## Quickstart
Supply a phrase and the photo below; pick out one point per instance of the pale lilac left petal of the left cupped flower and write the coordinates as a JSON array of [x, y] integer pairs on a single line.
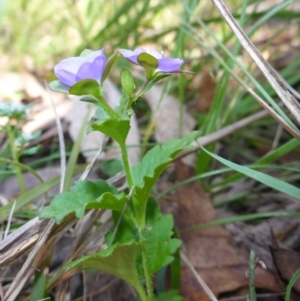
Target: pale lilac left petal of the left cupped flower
[[67, 69]]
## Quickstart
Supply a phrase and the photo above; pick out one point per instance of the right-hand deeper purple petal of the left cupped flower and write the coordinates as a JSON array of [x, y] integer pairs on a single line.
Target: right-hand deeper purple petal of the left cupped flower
[[92, 70]]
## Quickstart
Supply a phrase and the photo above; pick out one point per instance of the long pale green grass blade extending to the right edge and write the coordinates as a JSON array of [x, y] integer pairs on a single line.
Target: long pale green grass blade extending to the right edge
[[260, 177]]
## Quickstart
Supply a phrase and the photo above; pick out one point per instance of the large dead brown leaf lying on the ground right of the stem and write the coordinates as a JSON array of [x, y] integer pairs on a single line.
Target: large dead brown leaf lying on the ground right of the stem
[[211, 251]]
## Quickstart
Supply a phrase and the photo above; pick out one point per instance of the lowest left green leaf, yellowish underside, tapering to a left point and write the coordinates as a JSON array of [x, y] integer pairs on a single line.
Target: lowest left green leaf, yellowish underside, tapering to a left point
[[118, 260]]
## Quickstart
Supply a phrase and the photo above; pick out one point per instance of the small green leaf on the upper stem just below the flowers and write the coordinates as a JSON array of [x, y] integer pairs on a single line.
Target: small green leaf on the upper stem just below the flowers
[[115, 128]]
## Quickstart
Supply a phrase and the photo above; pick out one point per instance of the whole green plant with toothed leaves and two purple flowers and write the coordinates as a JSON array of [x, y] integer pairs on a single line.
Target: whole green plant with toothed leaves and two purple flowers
[[143, 242]]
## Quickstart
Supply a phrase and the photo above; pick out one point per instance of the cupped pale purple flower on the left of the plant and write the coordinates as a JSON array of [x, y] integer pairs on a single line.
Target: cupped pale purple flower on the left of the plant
[[74, 69]]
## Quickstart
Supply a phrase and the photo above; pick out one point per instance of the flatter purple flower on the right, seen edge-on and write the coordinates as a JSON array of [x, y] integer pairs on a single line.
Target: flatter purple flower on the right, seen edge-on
[[165, 65]]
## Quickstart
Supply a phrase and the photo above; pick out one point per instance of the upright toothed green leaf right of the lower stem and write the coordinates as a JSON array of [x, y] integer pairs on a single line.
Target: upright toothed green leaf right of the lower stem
[[160, 245]]
